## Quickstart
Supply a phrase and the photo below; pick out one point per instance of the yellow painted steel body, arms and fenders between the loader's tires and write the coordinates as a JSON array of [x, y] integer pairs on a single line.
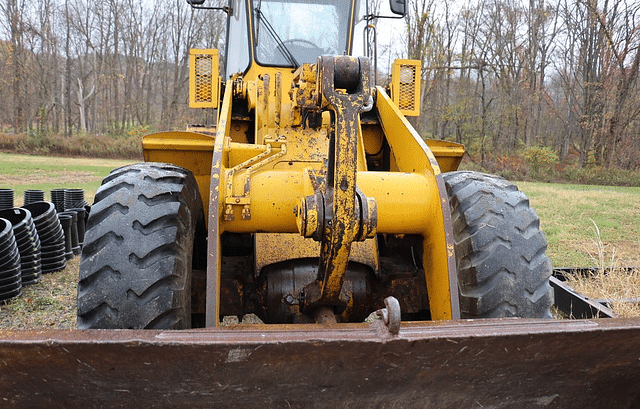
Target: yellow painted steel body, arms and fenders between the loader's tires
[[258, 187]]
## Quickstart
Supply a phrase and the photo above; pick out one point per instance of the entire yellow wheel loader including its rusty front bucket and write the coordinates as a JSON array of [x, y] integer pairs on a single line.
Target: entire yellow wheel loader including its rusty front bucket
[[375, 273]]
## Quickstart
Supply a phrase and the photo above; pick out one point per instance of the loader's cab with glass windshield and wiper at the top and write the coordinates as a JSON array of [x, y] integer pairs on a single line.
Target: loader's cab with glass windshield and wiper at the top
[[289, 33]]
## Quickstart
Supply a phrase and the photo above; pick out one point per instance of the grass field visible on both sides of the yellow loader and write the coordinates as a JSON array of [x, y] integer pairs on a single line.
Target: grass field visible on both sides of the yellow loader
[[585, 226]]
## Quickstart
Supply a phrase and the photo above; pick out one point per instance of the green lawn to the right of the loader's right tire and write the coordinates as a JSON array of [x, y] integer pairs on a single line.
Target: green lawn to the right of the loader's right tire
[[588, 225]]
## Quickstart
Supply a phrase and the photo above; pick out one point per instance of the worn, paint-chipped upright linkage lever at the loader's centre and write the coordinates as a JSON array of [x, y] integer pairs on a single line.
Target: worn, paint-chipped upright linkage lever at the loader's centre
[[341, 226]]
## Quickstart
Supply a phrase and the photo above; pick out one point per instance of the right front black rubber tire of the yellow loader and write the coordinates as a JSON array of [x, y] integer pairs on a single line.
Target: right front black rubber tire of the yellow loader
[[503, 270]]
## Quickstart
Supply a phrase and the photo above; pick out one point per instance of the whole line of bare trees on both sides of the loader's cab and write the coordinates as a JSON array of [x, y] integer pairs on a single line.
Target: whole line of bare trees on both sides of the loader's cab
[[498, 75]]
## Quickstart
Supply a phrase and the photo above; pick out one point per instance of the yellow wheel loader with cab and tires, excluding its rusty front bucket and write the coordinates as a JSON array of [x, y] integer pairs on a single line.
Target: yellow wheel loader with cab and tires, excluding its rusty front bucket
[[312, 199]]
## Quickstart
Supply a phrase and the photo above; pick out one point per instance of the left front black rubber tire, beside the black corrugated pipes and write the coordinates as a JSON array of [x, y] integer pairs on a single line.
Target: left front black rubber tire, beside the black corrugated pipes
[[135, 270]]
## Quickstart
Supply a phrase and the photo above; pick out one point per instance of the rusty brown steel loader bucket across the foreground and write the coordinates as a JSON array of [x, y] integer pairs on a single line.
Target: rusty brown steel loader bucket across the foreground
[[506, 363]]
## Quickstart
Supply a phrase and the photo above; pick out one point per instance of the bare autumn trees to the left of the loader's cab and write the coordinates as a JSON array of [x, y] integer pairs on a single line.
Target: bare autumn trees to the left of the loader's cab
[[98, 67]]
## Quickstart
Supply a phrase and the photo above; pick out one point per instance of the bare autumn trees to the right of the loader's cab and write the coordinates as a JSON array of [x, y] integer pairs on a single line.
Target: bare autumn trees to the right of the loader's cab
[[500, 75]]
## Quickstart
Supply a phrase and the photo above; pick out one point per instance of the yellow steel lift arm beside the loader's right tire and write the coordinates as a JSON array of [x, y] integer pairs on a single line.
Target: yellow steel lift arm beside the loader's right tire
[[413, 155]]
